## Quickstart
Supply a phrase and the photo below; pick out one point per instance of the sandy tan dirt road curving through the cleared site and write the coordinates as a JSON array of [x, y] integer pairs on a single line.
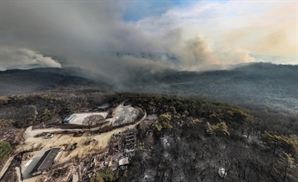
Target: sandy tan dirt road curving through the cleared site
[[59, 140]]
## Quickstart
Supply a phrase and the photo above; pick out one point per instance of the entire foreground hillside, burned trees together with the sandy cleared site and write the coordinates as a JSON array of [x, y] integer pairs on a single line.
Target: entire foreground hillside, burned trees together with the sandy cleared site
[[171, 139]]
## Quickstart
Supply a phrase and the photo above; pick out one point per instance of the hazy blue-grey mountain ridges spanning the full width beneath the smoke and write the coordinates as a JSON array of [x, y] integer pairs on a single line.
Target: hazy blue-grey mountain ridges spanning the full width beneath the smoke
[[258, 85]]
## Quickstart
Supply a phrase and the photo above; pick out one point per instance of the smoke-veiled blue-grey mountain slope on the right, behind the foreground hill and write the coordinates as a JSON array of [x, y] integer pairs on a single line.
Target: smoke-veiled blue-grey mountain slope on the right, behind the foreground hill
[[259, 86]]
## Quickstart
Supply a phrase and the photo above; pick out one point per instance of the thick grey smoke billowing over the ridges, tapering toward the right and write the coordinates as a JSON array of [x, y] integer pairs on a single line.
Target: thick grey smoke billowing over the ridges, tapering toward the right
[[89, 35]]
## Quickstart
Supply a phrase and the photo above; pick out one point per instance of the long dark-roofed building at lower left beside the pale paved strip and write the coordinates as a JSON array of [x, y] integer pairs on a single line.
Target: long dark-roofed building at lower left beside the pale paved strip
[[45, 162]]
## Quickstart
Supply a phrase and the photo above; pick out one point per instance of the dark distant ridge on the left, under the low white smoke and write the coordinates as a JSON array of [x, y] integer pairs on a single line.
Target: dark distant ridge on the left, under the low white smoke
[[37, 79]]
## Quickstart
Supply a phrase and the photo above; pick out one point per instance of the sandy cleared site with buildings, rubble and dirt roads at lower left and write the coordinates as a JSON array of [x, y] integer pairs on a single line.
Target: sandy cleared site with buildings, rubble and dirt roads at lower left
[[61, 154]]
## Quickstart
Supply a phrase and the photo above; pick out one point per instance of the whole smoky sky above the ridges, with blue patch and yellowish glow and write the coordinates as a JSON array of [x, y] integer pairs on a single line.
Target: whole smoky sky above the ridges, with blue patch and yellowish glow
[[198, 34]]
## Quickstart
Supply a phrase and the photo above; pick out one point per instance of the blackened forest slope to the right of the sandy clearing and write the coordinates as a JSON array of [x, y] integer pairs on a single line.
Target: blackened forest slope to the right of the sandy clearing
[[218, 138]]
